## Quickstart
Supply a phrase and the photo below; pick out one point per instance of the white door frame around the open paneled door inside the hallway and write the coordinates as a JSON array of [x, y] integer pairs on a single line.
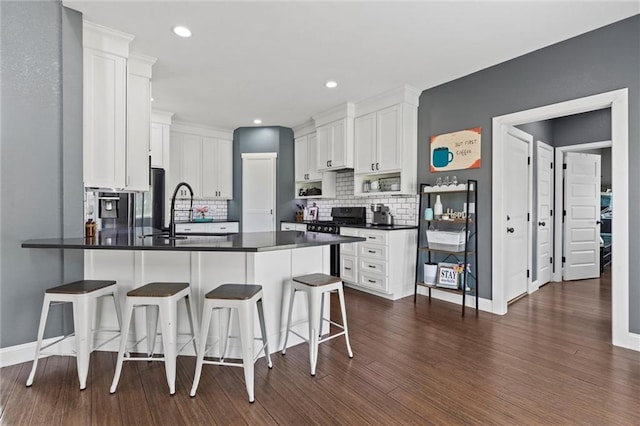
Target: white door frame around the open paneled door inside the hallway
[[559, 201]]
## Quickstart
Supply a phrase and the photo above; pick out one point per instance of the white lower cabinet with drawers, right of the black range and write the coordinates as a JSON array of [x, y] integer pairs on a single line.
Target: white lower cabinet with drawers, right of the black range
[[384, 264]]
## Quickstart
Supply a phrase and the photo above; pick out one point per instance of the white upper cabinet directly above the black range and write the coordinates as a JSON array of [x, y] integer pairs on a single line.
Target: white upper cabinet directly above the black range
[[334, 131]]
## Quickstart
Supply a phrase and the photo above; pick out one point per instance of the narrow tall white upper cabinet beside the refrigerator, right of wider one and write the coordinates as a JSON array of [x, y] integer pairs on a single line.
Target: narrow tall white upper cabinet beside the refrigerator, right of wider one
[[138, 122]]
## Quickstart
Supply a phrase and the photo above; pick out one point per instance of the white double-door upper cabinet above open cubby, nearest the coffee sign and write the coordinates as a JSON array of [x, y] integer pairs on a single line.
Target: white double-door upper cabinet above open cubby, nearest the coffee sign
[[378, 141]]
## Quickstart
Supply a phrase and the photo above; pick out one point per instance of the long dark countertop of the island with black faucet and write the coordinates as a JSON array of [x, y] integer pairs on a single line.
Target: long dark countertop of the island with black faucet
[[131, 239]]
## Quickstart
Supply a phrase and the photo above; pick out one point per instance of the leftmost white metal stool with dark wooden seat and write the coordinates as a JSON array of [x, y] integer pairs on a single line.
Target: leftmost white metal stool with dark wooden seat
[[83, 295]]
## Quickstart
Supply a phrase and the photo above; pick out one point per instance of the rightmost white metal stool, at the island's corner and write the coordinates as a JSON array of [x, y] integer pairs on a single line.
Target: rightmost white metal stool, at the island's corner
[[316, 286]]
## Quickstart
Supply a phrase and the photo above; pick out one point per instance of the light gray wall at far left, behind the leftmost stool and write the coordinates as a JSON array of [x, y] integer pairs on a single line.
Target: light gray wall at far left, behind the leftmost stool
[[41, 160]]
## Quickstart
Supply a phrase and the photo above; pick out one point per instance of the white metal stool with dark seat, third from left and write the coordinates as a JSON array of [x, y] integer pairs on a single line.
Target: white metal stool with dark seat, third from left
[[242, 298]]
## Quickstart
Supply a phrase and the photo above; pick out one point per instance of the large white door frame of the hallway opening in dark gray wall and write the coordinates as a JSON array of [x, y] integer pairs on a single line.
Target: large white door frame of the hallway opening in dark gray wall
[[618, 101]]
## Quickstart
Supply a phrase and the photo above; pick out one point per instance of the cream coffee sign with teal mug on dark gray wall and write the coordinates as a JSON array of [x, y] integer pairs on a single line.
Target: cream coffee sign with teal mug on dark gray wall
[[456, 151]]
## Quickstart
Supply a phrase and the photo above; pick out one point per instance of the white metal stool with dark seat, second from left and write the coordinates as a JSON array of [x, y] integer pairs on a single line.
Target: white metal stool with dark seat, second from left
[[160, 300]]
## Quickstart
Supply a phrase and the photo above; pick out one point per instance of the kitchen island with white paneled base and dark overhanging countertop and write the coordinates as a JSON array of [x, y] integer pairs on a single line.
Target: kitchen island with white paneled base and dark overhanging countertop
[[271, 259]]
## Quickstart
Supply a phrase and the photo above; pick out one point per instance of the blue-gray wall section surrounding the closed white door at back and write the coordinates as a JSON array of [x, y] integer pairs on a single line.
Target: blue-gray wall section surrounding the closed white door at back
[[265, 139]]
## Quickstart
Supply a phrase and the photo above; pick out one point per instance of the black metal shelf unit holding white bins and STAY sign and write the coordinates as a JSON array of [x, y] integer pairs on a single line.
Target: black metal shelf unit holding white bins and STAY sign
[[452, 197]]
